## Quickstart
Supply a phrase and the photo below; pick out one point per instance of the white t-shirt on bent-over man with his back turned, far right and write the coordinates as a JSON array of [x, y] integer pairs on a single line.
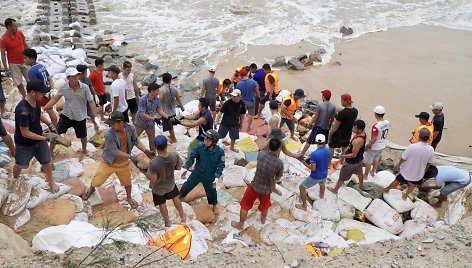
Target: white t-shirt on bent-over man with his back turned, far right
[[416, 157]]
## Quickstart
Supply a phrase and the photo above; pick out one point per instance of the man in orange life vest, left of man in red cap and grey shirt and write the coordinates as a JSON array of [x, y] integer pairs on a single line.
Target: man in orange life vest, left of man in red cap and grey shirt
[[290, 105]]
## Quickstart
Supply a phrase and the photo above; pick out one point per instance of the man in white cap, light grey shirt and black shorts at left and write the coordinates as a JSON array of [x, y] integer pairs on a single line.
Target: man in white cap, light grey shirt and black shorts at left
[[76, 95]]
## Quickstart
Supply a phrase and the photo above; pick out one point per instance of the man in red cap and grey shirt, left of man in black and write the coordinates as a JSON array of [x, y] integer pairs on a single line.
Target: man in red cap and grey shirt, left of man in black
[[322, 119]]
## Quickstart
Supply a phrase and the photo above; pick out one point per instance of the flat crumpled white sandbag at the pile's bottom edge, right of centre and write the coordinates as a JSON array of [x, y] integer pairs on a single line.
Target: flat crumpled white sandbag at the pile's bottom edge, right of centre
[[372, 234]]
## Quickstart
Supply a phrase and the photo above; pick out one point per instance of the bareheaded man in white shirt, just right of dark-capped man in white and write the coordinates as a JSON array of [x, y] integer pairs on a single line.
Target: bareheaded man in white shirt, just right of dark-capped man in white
[[132, 89]]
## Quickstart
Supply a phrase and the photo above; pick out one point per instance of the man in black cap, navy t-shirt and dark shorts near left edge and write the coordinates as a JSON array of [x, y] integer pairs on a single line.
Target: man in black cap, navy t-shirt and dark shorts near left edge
[[29, 139]]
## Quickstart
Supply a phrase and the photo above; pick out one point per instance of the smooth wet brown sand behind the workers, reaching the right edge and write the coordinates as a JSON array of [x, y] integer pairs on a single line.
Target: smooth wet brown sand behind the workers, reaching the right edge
[[404, 69]]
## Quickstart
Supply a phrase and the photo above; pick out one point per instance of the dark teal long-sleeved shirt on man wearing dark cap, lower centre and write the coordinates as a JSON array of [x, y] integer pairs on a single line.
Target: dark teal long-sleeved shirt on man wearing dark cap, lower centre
[[209, 164]]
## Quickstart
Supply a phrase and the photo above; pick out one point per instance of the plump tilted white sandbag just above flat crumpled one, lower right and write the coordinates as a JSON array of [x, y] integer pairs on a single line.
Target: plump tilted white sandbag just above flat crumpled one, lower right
[[384, 217]]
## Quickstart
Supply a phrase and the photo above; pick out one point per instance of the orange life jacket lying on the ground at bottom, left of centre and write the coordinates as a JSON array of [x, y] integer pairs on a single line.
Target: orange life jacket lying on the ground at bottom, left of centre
[[178, 240]]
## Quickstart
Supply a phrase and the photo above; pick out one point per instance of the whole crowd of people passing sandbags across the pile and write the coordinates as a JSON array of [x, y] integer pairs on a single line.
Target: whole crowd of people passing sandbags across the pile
[[224, 105]]
